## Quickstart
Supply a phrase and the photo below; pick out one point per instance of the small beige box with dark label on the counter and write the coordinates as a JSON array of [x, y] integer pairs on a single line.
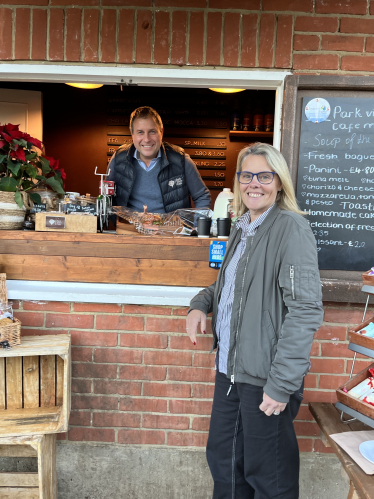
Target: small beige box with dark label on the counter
[[60, 222]]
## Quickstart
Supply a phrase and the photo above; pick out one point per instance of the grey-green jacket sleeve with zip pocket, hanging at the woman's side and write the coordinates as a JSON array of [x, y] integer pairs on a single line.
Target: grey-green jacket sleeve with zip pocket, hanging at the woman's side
[[302, 295]]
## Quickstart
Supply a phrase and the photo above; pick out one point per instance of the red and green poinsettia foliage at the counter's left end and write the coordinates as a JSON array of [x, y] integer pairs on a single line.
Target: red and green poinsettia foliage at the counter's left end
[[23, 168]]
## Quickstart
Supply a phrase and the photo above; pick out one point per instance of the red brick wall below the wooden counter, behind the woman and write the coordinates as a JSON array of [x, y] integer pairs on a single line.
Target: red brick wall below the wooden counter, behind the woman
[[137, 379]]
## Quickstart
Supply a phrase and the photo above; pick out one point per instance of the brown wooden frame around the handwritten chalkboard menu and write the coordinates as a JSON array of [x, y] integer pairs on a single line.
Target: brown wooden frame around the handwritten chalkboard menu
[[338, 285]]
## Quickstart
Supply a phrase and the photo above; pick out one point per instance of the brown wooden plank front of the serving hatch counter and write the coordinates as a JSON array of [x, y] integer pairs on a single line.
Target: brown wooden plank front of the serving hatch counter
[[106, 258]]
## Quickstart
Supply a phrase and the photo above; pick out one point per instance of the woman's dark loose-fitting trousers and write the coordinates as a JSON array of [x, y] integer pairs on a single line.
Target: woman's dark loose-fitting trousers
[[251, 455]]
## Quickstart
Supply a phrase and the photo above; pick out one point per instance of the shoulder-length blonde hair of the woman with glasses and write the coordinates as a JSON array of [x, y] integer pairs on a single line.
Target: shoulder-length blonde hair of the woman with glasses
[[286, 199]]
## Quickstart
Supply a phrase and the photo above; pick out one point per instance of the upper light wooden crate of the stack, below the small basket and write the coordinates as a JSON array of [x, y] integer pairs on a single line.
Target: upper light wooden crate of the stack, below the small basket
[[35, 379]]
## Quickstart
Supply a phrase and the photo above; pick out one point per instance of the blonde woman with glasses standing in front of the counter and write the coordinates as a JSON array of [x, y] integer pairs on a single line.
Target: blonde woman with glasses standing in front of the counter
[[266, 306]]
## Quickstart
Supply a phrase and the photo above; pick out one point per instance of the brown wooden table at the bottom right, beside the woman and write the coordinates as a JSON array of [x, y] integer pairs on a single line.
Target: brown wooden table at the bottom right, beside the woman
[[328, 419]]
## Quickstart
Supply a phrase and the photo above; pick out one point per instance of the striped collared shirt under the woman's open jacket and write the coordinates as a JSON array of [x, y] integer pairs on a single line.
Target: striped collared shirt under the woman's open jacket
[[227, 295]]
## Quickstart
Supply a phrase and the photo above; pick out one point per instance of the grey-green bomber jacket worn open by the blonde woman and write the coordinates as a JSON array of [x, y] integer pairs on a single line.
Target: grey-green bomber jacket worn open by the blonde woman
[[277, 304]]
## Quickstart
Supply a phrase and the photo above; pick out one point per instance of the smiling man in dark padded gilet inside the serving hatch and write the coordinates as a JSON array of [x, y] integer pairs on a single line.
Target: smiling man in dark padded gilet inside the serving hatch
[[154, 173]]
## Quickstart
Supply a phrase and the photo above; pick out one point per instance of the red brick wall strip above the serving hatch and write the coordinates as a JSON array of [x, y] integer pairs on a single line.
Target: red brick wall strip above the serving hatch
[[315, 36]]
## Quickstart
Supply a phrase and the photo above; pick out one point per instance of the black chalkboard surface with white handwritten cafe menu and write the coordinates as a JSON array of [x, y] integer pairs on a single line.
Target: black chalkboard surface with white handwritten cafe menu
[[335, 182]]
